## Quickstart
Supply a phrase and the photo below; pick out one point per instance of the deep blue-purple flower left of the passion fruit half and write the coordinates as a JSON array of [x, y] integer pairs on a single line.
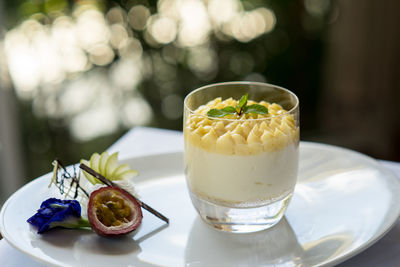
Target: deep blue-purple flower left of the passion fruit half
[[55, 212]]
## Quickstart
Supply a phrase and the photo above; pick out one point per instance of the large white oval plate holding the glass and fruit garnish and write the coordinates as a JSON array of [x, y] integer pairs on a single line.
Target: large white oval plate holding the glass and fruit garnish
[[343, 203]]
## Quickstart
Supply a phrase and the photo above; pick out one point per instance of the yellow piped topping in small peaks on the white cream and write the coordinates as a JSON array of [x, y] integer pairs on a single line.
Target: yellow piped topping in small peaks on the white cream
[[247, 134]]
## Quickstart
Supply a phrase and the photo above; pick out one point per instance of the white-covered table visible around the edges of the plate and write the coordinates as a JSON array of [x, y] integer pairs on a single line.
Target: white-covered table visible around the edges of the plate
[[142, 141]]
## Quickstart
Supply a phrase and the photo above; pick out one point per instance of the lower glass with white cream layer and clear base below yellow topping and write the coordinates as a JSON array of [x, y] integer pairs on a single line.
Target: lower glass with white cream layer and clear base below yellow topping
[[241, 193]]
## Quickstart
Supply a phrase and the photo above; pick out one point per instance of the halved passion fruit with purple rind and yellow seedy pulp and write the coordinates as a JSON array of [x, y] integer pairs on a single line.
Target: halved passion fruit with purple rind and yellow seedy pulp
[[112, 211]]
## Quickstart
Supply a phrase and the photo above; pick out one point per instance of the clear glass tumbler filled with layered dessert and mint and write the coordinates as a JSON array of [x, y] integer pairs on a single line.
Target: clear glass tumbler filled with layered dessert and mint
[[241, 153]]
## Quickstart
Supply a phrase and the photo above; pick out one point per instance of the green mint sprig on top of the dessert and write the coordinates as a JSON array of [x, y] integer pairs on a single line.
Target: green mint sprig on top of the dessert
[[239, 109]]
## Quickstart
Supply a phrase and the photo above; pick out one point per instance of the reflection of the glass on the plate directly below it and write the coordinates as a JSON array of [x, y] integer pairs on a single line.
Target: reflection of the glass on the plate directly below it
[[209, 247]]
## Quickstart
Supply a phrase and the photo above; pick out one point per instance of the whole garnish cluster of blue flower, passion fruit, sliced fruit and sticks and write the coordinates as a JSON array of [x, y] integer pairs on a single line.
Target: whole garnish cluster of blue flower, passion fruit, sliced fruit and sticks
[[112, 210]]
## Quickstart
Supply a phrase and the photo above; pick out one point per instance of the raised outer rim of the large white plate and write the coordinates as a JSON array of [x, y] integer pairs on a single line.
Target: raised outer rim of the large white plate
[[382, 231]]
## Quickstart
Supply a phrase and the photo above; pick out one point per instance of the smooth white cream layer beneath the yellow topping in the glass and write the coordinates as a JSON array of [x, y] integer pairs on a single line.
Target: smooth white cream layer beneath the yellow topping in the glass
[[241, 180]]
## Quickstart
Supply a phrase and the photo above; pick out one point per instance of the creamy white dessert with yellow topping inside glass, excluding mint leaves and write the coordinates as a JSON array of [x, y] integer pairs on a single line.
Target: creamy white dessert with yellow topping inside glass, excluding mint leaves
[[246, 160]]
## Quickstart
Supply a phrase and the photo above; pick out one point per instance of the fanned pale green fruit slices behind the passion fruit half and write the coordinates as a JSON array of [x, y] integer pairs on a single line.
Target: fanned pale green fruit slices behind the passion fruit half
[[107, 165]]
